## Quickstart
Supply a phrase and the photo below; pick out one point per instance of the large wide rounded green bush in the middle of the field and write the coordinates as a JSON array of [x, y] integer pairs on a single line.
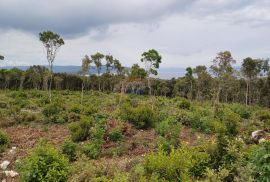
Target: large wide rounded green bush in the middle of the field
[[142, 117]]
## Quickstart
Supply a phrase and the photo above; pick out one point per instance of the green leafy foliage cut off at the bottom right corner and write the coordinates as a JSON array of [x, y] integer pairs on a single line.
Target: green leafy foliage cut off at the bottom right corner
[[261, 160]]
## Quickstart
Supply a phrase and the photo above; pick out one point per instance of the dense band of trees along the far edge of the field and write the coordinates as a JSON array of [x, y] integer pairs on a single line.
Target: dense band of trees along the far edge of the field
[[219, 83]]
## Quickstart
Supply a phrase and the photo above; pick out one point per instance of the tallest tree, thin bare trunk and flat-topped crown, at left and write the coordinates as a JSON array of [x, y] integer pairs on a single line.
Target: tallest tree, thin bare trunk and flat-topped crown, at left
[[52, 42]]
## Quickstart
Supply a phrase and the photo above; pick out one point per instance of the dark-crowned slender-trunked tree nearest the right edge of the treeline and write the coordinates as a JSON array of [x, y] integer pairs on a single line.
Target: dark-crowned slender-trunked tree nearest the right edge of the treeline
[[250, 69]]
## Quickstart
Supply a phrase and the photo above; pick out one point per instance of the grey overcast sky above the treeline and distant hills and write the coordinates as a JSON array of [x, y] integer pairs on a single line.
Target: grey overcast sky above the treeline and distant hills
[[185, 32]]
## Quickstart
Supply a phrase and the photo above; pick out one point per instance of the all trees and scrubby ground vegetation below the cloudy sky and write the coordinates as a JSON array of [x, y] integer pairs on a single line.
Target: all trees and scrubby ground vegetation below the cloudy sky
[[123, 125]]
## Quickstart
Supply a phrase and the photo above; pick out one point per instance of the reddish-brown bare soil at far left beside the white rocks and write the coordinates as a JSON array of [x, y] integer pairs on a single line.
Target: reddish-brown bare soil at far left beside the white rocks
[[24, 138]]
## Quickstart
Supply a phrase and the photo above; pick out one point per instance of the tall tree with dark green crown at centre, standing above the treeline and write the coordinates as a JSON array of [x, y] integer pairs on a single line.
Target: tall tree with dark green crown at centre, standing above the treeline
[[151, 59]]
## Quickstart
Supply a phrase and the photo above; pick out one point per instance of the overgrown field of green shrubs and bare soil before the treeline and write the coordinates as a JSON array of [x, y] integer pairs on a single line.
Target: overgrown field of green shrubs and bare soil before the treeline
[[119, 138]]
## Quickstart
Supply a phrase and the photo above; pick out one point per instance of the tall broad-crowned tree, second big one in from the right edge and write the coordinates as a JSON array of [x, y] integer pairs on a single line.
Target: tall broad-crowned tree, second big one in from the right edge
[[223, 70]]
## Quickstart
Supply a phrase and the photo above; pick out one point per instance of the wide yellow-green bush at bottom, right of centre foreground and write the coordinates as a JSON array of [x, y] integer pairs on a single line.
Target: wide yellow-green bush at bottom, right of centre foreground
[[179, 165]]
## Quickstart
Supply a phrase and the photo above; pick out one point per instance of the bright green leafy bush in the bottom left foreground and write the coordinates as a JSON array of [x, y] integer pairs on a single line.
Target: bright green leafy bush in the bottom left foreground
[[44, 163]]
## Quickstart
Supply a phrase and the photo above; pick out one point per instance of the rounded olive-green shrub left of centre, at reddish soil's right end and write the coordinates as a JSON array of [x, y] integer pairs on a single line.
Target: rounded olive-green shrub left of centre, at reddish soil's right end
[[80, 130]]
